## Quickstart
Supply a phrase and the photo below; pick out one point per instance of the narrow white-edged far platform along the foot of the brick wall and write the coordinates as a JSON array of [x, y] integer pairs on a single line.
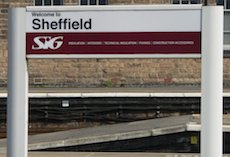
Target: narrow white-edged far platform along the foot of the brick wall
[[161, 91]]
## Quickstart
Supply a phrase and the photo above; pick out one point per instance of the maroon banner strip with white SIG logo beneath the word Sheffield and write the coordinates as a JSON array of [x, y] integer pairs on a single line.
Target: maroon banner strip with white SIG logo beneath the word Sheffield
[[114, 43]]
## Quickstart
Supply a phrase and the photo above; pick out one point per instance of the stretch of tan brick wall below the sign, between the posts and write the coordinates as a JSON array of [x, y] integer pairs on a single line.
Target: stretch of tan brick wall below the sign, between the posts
[[114, 72]]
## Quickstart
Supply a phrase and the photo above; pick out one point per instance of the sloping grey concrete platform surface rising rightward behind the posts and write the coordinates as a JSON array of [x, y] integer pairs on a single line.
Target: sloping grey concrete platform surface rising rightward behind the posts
[[123, 131]]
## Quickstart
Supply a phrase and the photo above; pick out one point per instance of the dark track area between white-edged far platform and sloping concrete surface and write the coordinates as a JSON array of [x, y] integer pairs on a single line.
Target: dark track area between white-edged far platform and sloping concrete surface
[[49, 114]]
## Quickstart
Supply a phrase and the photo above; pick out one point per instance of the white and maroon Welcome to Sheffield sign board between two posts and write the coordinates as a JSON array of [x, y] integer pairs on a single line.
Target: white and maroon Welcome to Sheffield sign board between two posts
[[113, 30]]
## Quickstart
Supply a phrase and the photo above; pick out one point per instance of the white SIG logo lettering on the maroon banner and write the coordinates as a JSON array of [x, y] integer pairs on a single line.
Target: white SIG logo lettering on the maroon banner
[[47, 42]]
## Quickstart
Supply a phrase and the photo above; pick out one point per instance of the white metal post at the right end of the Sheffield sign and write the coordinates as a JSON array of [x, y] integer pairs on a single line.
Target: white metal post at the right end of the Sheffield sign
[[212, 82]]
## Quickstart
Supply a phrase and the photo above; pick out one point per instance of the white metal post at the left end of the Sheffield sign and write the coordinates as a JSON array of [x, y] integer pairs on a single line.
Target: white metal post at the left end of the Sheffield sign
[[17, 101]]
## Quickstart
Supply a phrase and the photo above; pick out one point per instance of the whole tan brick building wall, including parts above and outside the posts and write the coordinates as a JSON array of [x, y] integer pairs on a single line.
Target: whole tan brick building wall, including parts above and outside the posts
[[103, 72]]
